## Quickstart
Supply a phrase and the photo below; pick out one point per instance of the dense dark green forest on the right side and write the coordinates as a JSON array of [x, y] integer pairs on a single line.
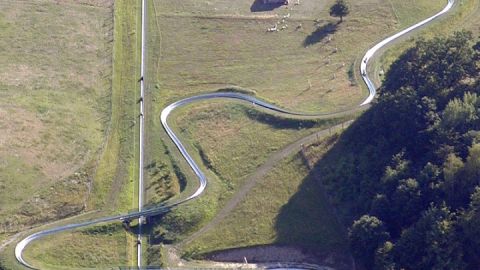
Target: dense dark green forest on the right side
[[407, 173]]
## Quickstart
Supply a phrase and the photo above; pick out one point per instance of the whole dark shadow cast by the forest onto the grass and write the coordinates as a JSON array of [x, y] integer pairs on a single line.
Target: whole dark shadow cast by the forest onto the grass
[[312, 219]]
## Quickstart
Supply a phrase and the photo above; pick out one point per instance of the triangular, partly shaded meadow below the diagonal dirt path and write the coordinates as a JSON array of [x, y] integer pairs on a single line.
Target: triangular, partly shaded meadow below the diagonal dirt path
[[288, 207]]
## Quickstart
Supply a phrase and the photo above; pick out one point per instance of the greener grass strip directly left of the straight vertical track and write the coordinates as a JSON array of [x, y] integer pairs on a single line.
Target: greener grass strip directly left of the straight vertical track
[[115, 186]]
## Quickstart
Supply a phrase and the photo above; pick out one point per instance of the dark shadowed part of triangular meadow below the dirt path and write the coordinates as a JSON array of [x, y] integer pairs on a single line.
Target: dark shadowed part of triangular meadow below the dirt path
[[307, 221]]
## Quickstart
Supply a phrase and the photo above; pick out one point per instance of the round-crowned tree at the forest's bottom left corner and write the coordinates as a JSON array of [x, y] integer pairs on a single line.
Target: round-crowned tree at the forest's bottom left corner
[[367, 234]]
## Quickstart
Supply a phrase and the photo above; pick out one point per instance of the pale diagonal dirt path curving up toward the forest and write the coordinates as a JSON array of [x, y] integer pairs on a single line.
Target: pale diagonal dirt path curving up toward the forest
[[259, 175]]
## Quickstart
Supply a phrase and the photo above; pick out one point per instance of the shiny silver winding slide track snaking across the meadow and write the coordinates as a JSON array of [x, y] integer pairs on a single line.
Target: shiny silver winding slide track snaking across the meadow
[[196, 169]]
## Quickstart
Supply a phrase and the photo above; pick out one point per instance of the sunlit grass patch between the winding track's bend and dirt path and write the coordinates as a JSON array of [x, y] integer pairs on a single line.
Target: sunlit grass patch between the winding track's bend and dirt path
[[217, 128]]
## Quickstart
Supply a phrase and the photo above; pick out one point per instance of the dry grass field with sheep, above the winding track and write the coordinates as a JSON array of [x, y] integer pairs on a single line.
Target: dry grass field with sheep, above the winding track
[[204, 46]]
